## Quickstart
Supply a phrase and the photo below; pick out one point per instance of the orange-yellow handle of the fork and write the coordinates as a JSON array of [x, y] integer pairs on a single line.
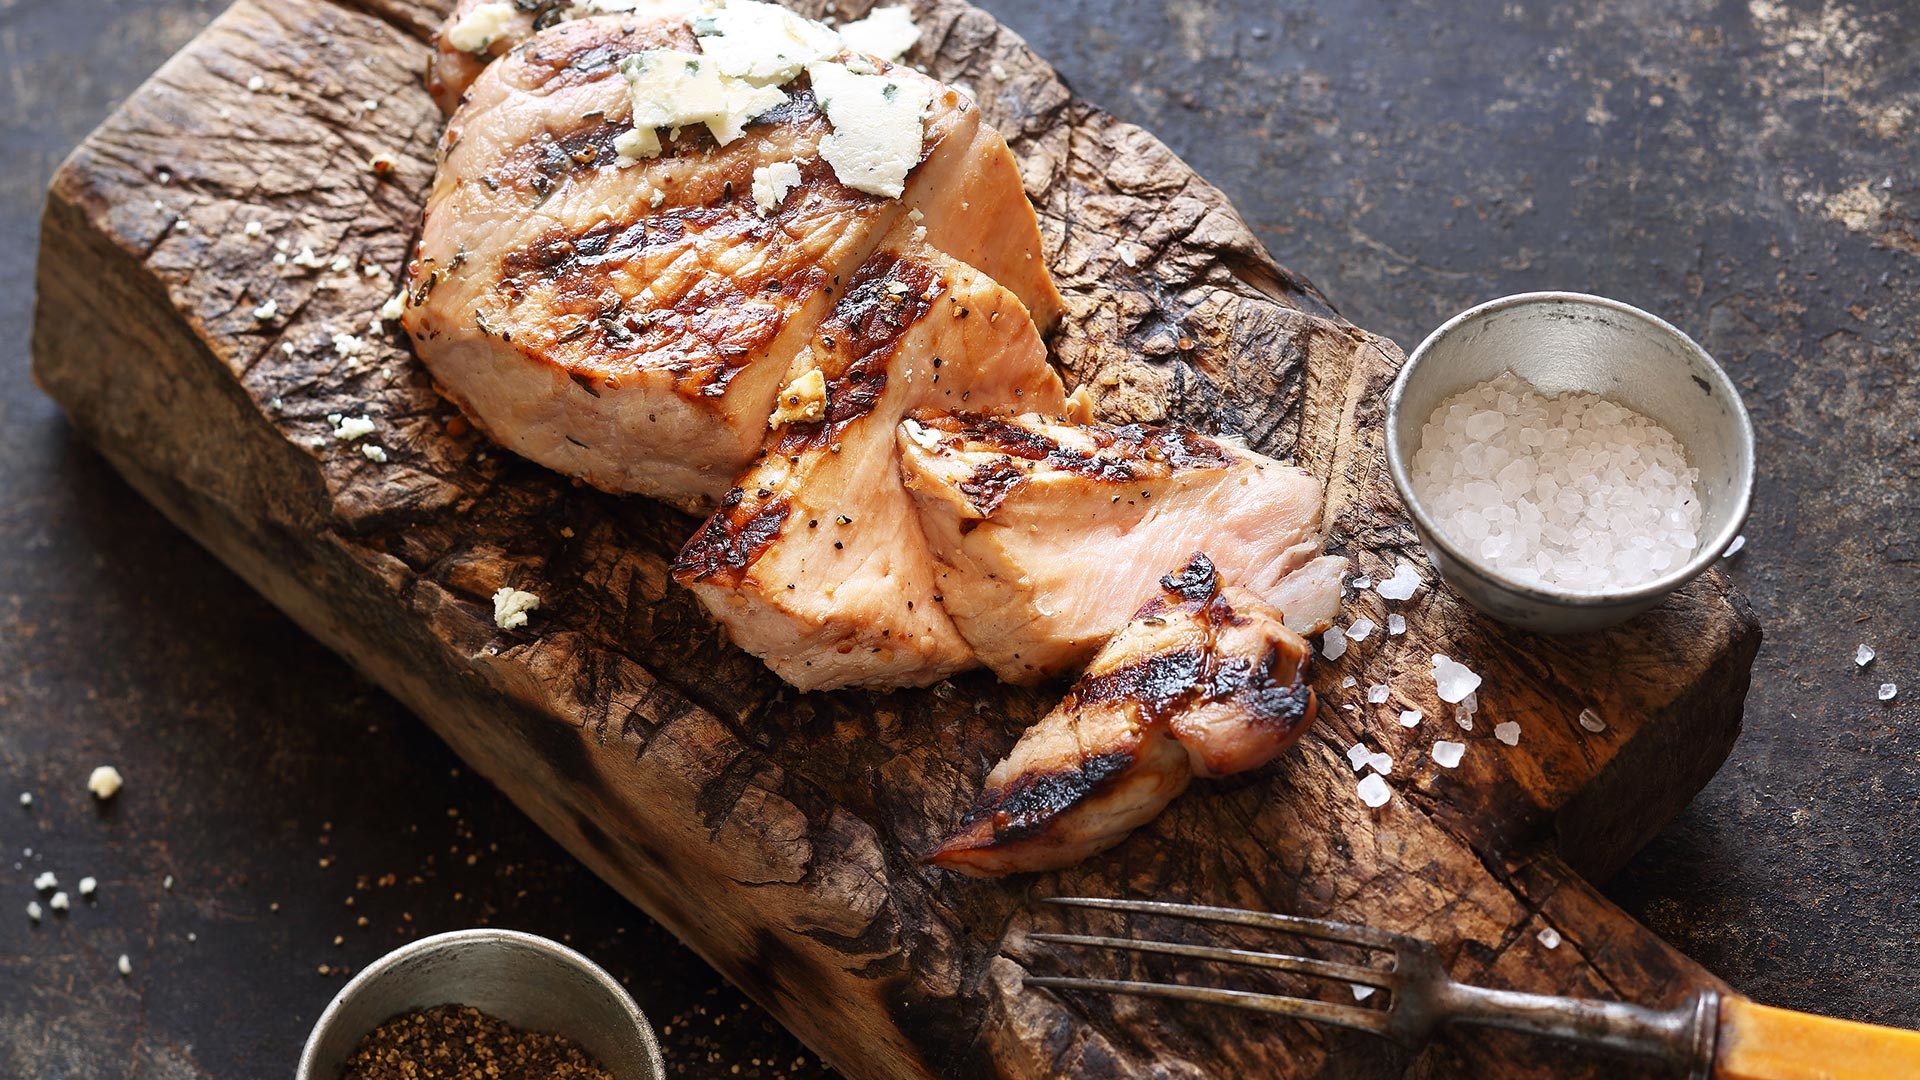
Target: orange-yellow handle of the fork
[[1775, 1044]]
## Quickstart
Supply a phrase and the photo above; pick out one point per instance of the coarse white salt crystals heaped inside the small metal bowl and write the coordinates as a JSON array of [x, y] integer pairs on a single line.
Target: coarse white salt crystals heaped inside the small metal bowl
[[1572, 493]]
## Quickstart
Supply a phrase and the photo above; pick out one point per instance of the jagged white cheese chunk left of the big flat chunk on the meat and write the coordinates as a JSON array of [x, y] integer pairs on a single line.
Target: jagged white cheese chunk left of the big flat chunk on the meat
[[681, 89]]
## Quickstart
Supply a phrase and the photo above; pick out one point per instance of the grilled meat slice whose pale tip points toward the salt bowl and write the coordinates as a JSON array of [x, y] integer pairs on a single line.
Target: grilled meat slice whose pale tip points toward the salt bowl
[[1047, 533]]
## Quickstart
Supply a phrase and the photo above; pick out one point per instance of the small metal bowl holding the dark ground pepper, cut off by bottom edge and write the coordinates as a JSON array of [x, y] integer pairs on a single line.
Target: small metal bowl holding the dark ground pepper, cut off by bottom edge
[[521, 979]]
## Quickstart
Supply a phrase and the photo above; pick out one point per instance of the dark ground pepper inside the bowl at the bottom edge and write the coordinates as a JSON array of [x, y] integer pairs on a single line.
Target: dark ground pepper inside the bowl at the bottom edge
[[460, 1043]]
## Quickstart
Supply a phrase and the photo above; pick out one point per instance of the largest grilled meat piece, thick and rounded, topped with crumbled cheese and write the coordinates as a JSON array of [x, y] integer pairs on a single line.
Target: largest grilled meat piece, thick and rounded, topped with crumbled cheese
[[631, 322]]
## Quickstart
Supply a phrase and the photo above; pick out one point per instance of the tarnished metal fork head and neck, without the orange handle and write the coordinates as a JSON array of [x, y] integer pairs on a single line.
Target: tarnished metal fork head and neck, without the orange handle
[[1422, 996]]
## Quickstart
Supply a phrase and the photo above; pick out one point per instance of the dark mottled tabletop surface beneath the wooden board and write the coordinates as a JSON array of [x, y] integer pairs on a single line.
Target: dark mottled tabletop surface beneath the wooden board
[[1746, 168]]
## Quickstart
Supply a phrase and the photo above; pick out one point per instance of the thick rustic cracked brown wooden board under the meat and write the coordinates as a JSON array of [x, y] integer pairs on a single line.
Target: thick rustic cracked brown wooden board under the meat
[[777, 833]]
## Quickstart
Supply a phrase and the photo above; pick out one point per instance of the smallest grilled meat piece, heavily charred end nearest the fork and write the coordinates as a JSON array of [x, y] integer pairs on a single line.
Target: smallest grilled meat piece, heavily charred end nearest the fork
[[1205, 681]]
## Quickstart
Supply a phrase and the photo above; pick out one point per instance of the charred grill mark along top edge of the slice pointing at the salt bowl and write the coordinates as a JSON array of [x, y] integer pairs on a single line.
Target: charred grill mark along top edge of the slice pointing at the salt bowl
[[1122, 454]]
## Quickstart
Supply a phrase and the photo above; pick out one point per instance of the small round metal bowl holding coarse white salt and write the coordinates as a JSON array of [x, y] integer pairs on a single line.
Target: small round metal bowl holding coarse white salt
[[1564, 343]]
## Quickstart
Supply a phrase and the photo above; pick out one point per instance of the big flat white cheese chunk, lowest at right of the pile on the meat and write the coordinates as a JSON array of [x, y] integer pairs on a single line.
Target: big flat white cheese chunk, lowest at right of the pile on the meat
[[878, 126]]
